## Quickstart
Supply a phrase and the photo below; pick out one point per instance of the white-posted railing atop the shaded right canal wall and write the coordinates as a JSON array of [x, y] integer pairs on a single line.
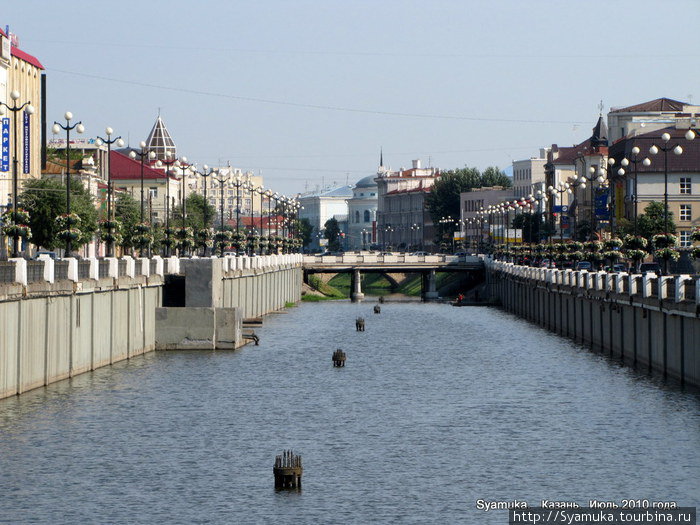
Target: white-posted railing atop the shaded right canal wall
[[676, 288]]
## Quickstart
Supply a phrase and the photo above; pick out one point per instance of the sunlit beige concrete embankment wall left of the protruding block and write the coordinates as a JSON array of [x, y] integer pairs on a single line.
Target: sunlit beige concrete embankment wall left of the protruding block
[[52, 331]]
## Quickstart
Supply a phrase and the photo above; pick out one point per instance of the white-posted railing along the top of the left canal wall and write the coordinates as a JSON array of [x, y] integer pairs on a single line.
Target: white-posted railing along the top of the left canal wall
[[45, 269]]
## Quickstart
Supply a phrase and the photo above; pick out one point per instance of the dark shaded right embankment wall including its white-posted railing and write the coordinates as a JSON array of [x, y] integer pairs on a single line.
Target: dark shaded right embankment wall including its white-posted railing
[[649, 323]]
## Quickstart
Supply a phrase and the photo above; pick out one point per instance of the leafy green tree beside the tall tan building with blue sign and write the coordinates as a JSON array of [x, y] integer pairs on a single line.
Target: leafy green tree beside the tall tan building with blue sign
[[45, 199]]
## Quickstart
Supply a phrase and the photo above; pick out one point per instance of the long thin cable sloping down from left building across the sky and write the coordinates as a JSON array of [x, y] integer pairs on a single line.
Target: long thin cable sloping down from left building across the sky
[[313, 106]]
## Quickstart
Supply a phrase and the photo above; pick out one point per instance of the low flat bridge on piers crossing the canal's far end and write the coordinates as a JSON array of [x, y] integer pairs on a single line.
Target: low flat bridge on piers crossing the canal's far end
[[426, 265]]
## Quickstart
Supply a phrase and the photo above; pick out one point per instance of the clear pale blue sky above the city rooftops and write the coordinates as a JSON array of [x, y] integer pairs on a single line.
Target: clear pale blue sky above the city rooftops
[[307, 92]]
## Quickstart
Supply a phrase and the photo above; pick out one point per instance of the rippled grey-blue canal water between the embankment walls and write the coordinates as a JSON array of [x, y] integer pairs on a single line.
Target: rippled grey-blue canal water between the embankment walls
[[437, 408]]
